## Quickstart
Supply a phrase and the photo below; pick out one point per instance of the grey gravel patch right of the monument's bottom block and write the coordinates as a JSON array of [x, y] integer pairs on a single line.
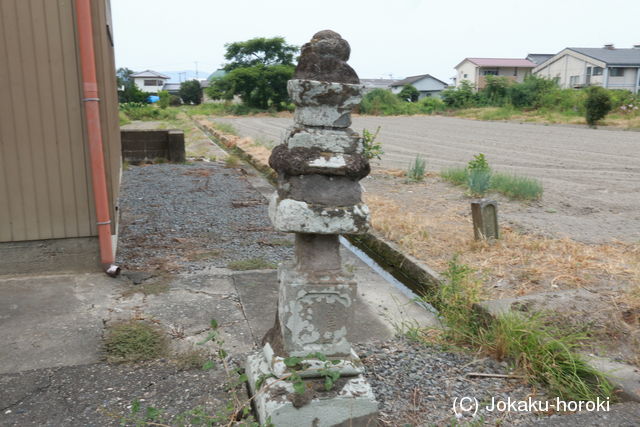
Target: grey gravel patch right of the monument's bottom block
[[417, 385]]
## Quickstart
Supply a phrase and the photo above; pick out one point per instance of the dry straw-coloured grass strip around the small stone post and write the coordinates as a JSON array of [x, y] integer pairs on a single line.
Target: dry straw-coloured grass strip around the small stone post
[[524, 263]]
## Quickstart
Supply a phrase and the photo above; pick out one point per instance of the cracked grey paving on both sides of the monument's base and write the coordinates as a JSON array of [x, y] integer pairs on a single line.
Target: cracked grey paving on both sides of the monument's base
[[51, 362]]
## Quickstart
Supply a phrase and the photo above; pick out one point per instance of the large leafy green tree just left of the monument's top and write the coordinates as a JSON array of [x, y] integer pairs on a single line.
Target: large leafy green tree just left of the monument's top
[[258, 72]]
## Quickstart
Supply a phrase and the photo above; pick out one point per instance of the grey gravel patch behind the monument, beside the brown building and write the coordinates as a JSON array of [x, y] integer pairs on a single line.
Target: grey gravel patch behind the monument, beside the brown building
[[188, 217]]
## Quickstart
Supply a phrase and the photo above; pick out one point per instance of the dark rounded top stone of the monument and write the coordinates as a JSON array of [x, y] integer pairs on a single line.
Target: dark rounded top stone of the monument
[[324, 59]]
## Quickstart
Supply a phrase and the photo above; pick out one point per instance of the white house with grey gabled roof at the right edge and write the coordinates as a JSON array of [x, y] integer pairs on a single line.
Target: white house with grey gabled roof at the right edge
[[607, 66]]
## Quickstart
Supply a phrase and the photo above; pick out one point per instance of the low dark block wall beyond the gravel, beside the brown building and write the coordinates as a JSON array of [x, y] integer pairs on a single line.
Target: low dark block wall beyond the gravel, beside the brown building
[[141, 145]]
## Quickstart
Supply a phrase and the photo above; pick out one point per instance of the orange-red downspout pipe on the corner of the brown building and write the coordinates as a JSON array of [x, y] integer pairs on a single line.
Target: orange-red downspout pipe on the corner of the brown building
[[94, 133]]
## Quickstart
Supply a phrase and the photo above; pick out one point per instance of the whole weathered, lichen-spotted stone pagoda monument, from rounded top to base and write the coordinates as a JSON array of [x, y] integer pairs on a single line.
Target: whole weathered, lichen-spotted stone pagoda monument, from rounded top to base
[[318, 197]]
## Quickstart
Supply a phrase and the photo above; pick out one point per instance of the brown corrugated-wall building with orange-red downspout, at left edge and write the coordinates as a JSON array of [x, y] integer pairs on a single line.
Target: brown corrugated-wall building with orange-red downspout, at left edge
[[49, 189]]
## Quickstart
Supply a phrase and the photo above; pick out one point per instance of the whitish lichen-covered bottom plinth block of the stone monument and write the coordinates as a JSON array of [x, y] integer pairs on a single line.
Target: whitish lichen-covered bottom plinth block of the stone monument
[[350, 403]]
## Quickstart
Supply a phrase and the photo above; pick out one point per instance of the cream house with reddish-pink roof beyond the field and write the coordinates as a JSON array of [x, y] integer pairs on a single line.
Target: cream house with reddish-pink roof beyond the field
[[475, 70]]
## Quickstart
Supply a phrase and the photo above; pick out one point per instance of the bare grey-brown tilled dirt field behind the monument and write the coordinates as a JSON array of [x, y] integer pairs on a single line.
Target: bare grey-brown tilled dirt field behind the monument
[[591, 177]]
